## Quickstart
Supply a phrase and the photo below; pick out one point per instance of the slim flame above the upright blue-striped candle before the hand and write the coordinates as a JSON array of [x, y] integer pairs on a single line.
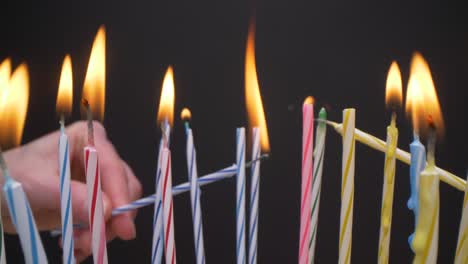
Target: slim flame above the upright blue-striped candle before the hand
[[65, 92]]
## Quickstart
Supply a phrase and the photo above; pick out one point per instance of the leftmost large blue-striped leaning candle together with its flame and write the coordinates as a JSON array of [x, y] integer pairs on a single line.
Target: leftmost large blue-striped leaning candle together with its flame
[[13, 112]]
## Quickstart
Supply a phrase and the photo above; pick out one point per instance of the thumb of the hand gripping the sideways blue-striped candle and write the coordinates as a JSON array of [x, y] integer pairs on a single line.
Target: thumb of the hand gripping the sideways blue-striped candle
[[80, 203]]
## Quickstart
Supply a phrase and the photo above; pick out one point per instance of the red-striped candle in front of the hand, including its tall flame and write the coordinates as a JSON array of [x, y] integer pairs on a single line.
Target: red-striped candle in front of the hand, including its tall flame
[[93, 98]]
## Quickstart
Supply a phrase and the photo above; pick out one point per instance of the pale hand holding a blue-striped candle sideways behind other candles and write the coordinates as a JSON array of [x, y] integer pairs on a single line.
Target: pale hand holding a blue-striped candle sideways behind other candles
[[35, 165]]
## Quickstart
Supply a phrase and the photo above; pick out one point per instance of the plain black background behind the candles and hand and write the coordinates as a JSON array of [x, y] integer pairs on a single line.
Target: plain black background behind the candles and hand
[[336, 50]]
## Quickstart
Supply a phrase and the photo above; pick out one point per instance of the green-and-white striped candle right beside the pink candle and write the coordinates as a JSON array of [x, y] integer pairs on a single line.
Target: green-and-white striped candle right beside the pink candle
[[319, 153]]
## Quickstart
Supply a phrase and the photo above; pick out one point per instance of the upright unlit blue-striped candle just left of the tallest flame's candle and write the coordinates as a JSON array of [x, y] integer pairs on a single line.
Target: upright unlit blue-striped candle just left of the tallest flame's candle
[[240, 196]]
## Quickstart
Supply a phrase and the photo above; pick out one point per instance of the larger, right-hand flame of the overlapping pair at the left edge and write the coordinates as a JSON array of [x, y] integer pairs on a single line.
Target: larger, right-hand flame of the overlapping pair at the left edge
[[14, 107]]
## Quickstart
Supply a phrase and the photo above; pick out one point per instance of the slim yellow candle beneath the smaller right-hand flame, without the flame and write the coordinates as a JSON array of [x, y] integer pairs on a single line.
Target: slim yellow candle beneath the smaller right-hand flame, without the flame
[[387, 193]]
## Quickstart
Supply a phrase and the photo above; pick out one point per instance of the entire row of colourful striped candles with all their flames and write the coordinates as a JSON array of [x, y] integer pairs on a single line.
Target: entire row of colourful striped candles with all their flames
[[421, 103]]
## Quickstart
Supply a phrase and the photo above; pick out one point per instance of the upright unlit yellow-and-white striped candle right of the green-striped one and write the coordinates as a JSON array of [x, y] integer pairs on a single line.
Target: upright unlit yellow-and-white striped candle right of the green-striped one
[[347, 187]]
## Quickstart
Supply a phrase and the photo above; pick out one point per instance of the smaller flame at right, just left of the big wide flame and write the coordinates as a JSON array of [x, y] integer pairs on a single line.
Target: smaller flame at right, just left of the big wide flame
[[393, 91]]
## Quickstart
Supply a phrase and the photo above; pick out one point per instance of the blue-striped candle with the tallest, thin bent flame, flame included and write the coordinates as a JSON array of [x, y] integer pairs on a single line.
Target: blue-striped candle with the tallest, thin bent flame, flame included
[[260, 141]]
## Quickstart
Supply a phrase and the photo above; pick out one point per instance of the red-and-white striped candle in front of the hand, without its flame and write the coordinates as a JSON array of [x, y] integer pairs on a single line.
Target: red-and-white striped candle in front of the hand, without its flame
[[95, 206]]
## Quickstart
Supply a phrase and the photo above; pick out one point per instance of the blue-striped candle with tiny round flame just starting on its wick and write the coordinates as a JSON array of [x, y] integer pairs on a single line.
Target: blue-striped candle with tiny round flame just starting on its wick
[[194, 190]]
